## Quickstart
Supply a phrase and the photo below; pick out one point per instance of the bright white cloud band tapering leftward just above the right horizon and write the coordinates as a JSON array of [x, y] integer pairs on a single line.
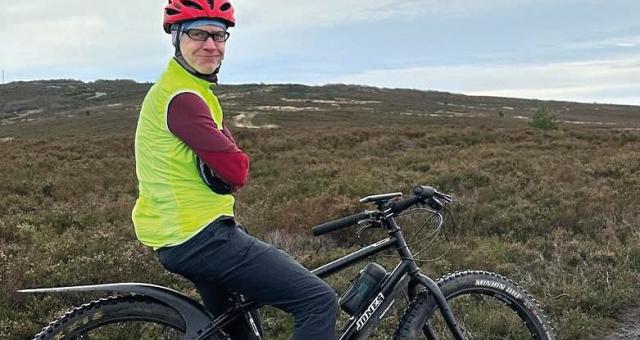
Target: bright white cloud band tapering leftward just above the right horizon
[[588, 81]]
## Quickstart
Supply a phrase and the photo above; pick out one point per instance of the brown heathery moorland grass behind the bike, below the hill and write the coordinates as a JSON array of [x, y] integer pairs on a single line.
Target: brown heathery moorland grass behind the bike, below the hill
[[557, 212]]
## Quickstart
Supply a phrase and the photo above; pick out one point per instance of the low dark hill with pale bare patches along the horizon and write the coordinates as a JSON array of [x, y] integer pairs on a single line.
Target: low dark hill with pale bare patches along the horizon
[[55, 101]]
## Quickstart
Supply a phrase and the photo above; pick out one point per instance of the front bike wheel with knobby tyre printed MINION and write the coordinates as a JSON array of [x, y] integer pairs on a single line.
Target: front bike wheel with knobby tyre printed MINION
[[485, 305]]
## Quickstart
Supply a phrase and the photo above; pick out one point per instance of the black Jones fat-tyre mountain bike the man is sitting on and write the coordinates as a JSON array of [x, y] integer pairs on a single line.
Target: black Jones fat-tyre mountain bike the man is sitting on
[[472, 304]]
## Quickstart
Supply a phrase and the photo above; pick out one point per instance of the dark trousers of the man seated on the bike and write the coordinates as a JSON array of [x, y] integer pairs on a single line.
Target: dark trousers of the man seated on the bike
[[223, 258]]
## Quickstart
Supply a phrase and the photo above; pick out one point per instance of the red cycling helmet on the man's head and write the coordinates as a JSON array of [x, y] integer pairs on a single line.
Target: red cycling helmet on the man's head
[[182, 10]]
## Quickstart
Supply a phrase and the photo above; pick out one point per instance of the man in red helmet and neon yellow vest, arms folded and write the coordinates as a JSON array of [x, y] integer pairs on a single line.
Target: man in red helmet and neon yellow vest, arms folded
[[188, 165]]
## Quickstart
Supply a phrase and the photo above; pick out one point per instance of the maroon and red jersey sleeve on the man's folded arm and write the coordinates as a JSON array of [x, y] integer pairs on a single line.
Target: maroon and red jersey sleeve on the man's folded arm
[[189, 118]]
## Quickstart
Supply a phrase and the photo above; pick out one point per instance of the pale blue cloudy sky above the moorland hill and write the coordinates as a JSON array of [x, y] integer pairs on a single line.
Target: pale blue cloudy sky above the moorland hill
[[576, 50]]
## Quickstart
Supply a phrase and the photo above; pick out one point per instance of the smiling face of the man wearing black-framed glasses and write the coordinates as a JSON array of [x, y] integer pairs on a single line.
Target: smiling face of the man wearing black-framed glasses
[[204, 56]]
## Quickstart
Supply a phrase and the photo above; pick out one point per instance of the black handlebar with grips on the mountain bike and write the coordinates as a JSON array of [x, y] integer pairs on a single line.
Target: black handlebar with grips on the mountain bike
[[425, 194]]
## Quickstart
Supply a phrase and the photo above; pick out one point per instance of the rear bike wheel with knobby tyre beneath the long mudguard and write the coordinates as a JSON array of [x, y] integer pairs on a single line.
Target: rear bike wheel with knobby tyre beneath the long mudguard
[[118, 317]]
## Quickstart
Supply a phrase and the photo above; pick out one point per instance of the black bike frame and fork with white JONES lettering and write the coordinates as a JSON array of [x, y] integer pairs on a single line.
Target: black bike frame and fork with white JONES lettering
[[360, 326]]
